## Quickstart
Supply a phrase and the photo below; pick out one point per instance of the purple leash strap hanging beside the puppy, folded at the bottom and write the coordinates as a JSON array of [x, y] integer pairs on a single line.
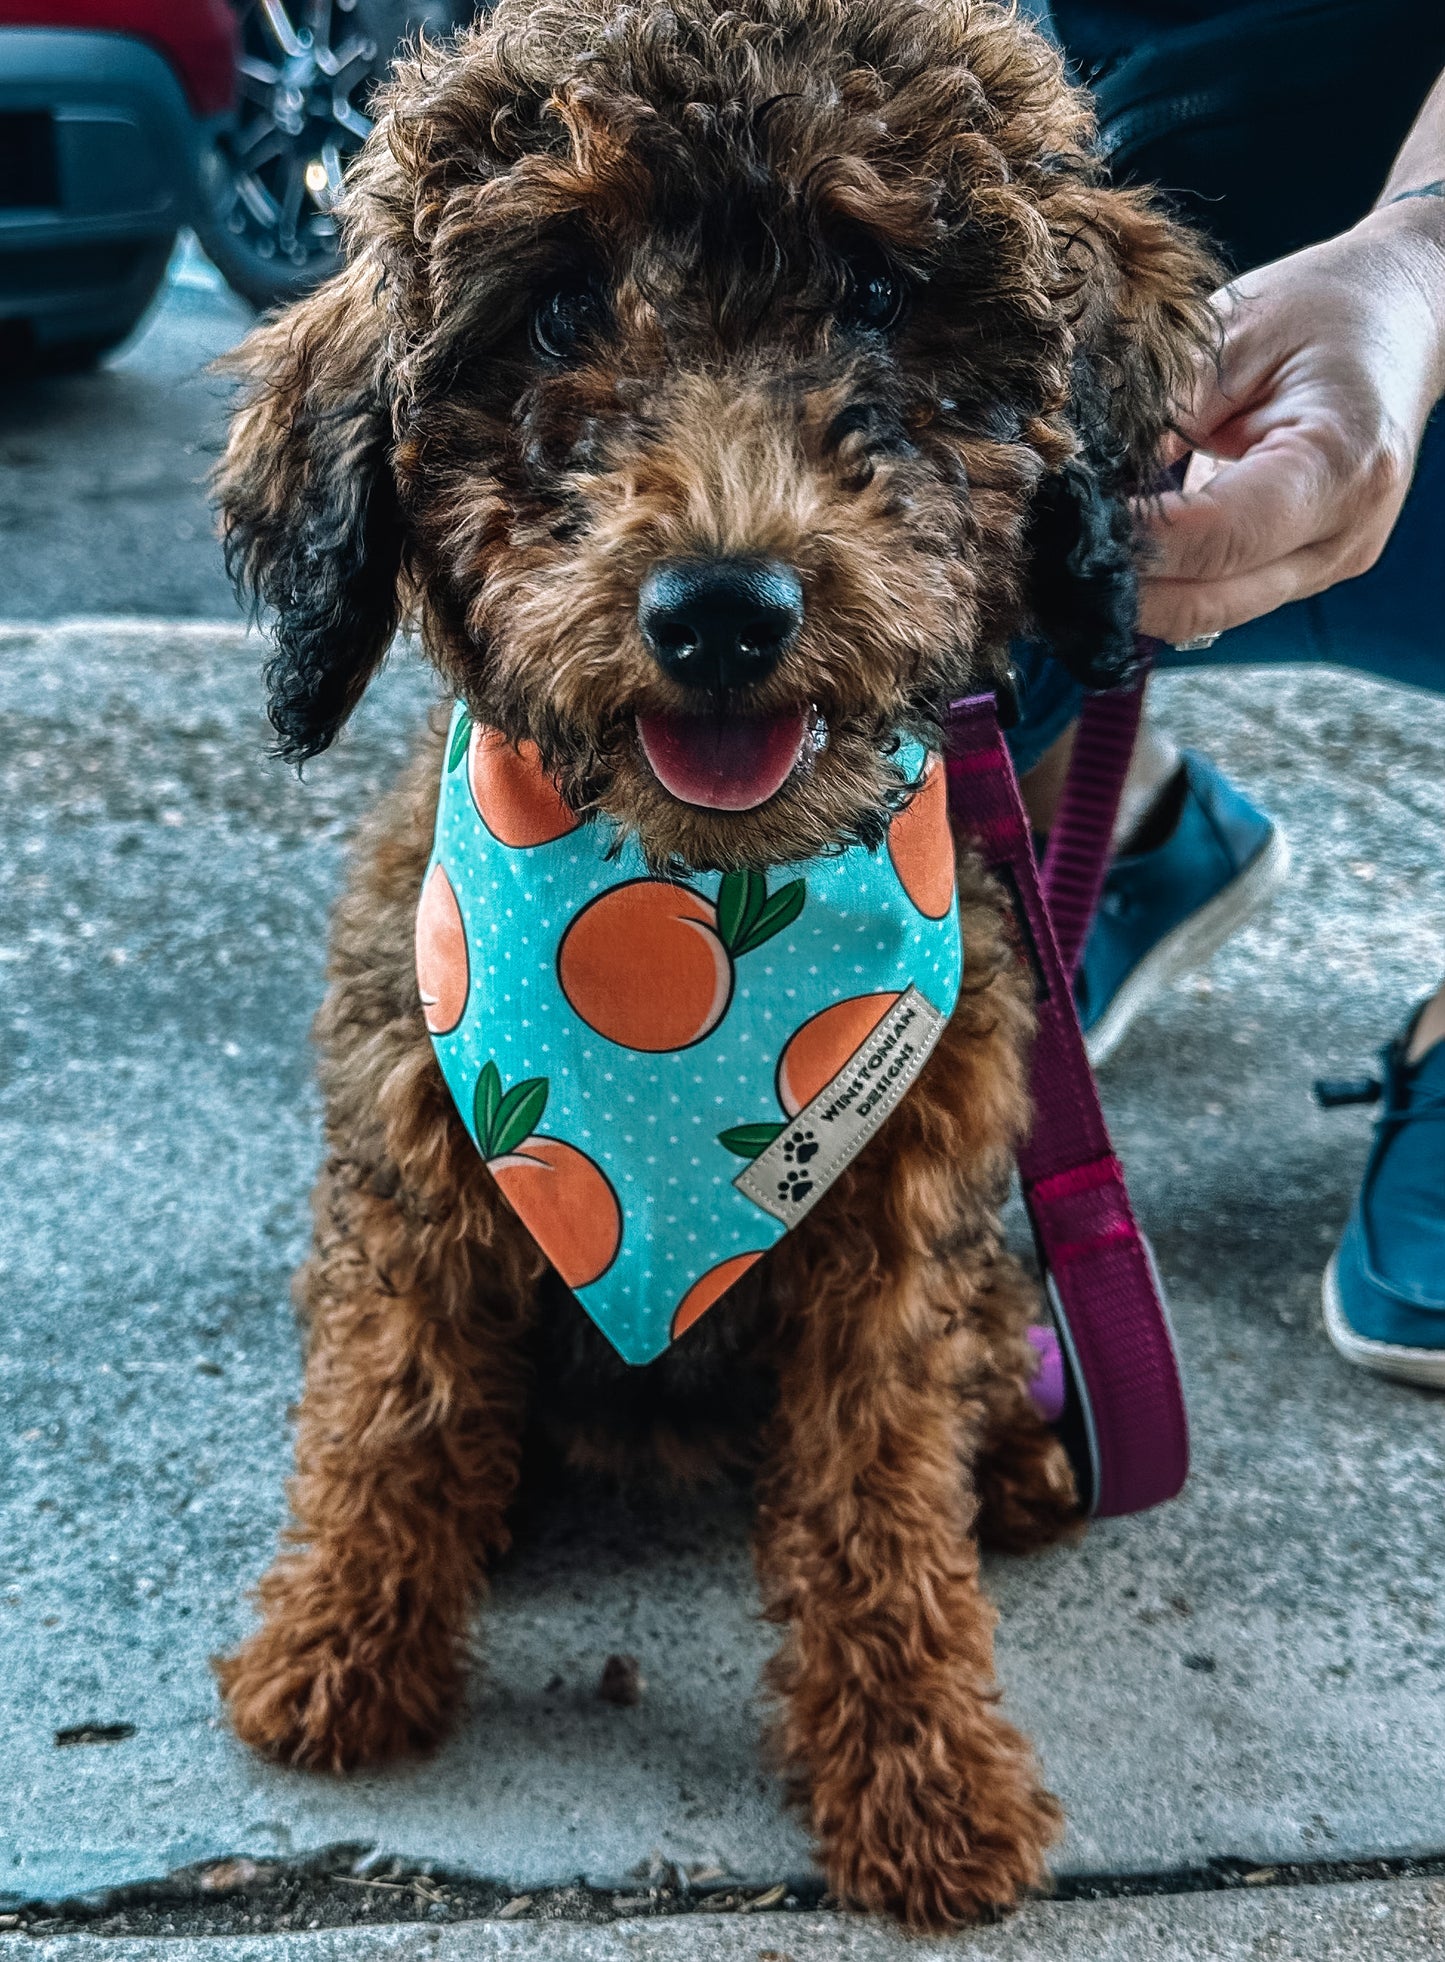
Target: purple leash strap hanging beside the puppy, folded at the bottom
[[1124, 1418]]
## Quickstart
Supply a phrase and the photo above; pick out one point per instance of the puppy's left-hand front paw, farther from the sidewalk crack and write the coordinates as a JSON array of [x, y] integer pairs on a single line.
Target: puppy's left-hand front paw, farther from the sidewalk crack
[[327, 1698]]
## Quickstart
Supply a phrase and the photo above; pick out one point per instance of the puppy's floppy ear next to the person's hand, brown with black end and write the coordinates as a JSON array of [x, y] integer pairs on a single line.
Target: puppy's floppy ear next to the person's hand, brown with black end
[[1144, 321]]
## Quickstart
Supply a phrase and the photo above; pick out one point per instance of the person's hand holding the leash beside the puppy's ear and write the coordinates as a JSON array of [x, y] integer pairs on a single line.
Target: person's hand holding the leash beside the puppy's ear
[[1307, 433]]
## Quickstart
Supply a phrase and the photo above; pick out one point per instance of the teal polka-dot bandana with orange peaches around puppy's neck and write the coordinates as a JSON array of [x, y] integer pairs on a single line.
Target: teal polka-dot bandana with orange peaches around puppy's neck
[[667, 1074]]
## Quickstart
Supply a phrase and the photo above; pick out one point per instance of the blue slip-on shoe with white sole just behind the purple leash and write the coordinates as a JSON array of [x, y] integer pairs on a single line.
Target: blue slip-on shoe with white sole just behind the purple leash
[[1163, 913]]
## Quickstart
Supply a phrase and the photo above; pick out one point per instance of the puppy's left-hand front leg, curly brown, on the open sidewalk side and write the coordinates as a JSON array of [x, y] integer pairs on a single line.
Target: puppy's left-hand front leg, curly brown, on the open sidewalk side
[[407, 1457]]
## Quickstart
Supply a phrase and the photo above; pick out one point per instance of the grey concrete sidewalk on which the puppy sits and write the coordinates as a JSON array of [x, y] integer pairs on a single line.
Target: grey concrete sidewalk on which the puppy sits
[[1256, 1671]]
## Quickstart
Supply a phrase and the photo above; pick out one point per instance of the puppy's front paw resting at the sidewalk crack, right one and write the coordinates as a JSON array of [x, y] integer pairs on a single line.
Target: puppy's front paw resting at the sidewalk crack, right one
[[939, 1855]]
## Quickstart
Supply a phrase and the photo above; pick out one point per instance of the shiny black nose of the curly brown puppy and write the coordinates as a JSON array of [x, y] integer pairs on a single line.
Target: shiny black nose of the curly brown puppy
[[720, 625]]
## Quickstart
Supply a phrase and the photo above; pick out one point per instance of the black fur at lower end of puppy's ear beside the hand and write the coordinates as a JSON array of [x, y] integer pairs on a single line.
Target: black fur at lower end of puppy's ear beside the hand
[[1083, 582]]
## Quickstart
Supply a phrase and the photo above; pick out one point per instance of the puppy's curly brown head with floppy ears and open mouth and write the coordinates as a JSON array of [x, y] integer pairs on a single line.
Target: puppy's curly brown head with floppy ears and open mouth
[[722, 386]]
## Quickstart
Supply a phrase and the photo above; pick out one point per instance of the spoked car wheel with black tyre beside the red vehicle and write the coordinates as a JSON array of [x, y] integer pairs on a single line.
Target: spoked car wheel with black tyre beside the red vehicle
[[270, 183]]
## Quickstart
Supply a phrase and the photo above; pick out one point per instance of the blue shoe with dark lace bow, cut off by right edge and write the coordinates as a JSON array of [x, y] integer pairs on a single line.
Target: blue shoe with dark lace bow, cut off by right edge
[[1385, 1286]]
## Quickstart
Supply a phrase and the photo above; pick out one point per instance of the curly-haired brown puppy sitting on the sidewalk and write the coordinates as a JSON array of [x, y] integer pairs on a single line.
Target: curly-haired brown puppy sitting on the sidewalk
[[822, 285]]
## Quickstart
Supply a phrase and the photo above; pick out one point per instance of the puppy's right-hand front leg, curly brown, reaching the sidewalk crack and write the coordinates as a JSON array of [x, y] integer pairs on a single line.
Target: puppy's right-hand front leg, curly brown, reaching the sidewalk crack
[[926, 1802]]
